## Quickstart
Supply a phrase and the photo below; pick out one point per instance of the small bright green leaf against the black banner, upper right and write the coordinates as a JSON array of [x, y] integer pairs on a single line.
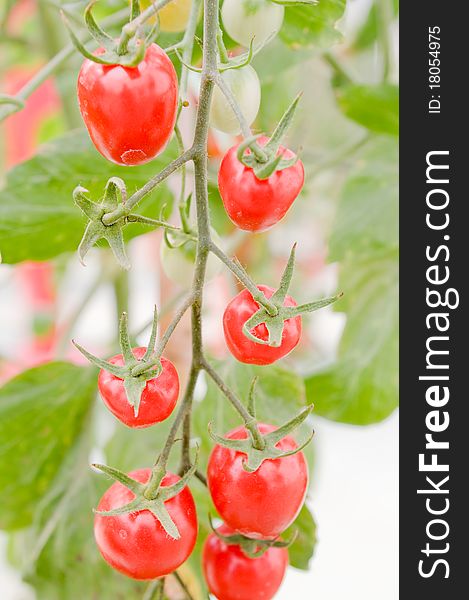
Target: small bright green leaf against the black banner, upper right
[[375, 107]]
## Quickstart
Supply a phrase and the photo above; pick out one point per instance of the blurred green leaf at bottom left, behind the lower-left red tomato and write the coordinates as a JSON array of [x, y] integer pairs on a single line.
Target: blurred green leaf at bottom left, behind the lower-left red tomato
[[68, 559]]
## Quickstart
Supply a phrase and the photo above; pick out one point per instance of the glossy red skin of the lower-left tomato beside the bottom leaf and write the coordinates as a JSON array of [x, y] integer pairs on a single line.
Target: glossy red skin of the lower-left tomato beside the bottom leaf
[[135, 543]]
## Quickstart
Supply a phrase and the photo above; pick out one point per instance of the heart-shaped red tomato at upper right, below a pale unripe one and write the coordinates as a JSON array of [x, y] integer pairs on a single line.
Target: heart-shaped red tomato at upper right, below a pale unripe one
[[256, 204]]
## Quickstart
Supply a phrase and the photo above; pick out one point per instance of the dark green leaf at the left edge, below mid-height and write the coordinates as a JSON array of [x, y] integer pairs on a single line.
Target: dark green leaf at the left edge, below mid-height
[[42, 414]]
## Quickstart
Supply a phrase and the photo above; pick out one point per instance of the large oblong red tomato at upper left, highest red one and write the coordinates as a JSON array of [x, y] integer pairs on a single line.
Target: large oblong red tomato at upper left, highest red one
[[129, 112]]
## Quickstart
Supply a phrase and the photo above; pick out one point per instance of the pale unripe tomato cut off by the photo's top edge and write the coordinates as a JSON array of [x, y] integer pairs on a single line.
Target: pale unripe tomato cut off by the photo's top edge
[[244, 20]]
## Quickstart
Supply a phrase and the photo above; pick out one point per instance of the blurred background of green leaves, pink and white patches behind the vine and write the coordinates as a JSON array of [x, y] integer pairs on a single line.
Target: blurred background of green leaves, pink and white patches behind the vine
[[345, 223]]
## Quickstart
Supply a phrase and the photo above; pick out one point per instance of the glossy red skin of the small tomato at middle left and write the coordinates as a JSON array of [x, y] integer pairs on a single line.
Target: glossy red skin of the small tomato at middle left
[[158, 398]]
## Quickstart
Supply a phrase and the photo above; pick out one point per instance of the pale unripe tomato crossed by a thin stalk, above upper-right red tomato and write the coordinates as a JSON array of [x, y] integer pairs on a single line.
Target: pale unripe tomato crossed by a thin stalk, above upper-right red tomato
[[246, 88]]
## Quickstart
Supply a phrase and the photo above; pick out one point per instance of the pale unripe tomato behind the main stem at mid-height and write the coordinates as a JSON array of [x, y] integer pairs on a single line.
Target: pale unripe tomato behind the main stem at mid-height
[[178, 263]]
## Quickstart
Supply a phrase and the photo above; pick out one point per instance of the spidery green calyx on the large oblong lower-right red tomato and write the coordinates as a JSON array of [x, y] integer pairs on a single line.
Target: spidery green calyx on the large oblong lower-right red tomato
[[257, 446]]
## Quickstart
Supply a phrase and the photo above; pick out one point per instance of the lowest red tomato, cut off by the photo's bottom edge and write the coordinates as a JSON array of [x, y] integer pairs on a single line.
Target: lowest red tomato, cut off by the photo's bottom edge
[[231, 575]]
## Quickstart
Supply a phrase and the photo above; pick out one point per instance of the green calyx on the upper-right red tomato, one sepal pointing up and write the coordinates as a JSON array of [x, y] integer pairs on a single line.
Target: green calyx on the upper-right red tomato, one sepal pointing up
[[265, 160]]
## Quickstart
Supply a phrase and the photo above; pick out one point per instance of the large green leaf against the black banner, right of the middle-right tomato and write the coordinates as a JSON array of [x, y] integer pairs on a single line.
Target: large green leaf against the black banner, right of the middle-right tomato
[[362, 386]]
